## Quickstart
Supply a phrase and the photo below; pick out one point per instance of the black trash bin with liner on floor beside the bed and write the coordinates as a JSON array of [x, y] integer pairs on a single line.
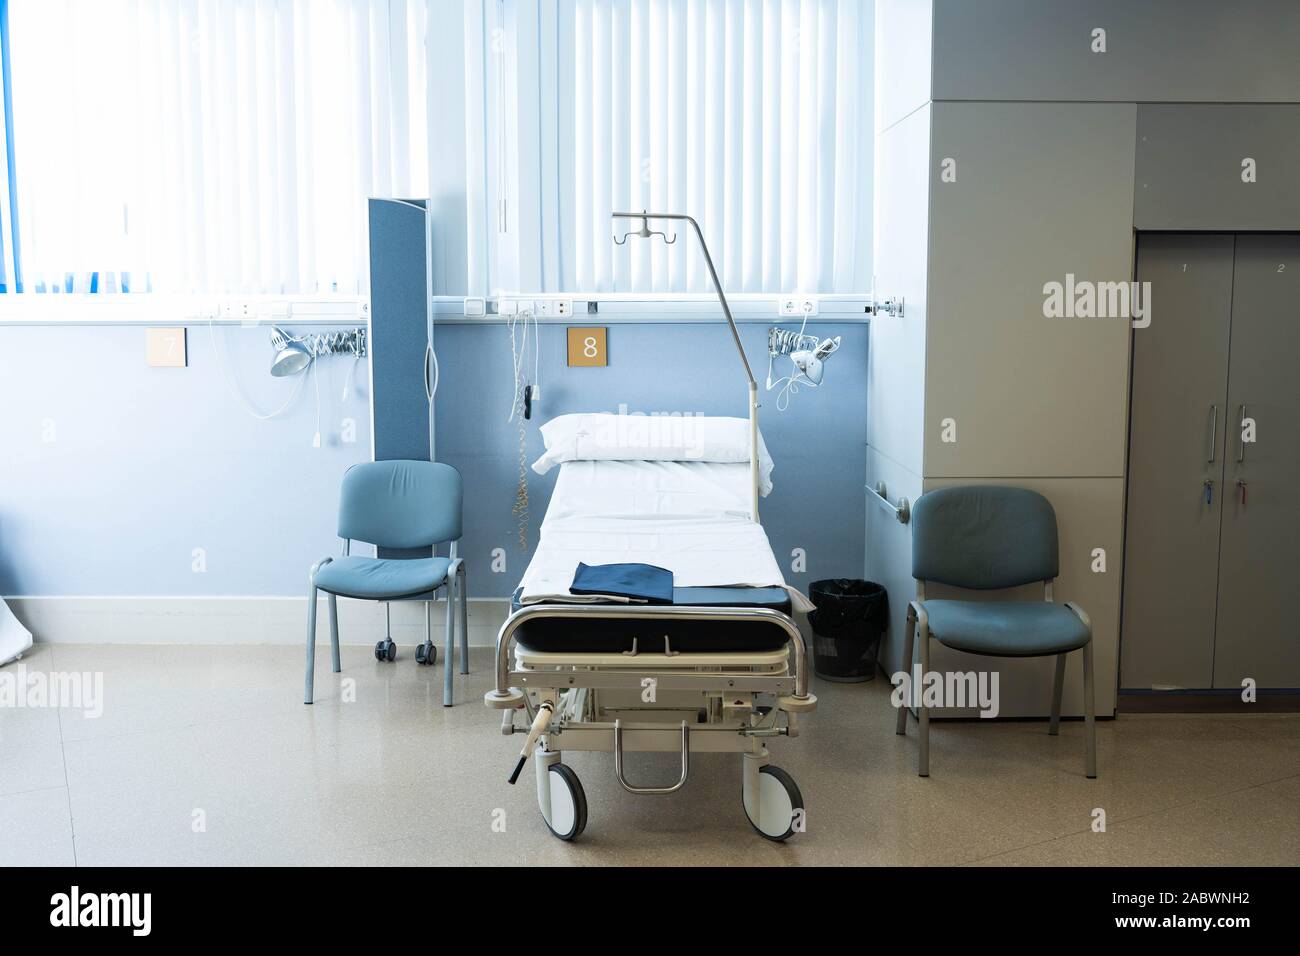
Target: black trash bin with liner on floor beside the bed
[[851, 616]]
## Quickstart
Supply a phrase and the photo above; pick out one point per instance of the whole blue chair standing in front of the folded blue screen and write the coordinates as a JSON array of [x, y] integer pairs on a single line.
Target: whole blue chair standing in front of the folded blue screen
[[396, 505]]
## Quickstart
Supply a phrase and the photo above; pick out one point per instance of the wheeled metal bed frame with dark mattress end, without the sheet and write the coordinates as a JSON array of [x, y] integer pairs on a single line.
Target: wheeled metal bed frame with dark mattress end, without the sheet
[[722, 671]]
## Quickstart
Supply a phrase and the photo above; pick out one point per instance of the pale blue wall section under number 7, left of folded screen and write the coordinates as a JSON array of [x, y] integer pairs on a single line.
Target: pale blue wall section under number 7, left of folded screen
[[150, 464]]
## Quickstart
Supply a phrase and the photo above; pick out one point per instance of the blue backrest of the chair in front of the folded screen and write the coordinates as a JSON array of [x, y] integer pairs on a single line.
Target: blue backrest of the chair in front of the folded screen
[[401, 504]]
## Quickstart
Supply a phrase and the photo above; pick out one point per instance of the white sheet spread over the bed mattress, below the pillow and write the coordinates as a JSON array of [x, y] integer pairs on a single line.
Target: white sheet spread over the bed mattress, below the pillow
[[688, 517]]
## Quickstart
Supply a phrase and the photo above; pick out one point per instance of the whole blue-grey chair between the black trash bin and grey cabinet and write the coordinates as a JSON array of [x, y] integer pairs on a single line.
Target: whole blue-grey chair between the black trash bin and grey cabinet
[[986, 538]]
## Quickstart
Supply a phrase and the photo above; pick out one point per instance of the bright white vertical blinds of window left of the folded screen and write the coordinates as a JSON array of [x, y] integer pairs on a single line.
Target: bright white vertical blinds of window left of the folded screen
[[211, 145]]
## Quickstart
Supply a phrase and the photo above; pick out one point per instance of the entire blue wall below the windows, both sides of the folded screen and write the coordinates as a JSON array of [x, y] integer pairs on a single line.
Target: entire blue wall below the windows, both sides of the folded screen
[[150, 464]]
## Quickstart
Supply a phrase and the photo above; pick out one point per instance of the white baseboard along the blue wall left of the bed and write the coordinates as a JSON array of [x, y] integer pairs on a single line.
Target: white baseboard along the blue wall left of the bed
[[237, 620]]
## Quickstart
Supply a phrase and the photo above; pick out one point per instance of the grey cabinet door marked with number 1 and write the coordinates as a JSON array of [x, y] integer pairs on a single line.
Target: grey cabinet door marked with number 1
[[1178, 421]]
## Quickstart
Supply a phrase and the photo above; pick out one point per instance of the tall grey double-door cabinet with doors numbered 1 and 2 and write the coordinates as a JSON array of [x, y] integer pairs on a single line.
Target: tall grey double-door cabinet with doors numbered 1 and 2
[[1212, 522]]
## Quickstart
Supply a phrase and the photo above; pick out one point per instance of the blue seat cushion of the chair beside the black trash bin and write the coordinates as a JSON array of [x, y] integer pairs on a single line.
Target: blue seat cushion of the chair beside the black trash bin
[[1007, 629]]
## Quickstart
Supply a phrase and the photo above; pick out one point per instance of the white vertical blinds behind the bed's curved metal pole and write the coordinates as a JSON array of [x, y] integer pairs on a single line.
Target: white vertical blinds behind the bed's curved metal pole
[[755, 116]]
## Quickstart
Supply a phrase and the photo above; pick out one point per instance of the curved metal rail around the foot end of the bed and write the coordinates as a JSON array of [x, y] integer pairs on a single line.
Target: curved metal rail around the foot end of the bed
[[504, 697]]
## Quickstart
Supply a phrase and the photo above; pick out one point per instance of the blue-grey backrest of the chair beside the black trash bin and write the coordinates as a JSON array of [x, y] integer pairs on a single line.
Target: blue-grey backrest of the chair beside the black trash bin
[[985, 538]]
